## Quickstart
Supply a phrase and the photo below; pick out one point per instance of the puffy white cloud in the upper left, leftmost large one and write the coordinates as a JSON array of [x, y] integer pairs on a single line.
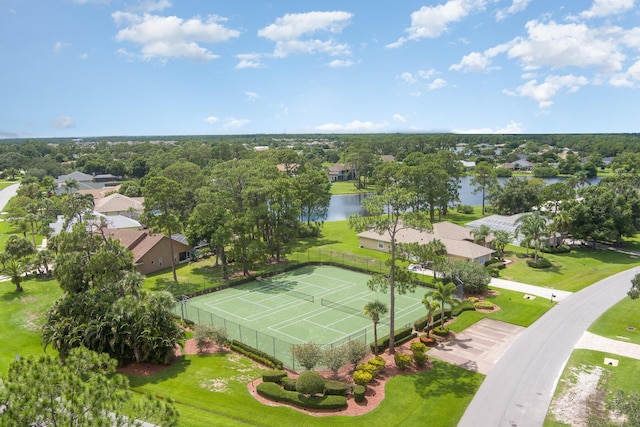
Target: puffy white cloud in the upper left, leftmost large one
[[165, 37]]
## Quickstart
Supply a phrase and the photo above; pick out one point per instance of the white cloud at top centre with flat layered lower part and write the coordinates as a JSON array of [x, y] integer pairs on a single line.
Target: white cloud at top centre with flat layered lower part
[[294, 33]]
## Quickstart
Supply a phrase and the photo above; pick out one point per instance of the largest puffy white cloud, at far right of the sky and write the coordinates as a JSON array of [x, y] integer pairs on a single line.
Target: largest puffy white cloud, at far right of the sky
[[568, 45]]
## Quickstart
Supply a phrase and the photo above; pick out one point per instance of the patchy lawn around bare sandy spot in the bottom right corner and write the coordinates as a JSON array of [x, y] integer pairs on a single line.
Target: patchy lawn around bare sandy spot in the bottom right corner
[[622, 377]]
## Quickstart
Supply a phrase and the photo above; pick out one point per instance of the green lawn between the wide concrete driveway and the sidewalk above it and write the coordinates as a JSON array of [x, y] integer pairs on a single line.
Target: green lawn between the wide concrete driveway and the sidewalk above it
[[513, 309]]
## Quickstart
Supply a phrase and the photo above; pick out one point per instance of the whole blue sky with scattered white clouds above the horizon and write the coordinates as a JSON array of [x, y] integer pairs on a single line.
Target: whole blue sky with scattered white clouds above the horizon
[[78, 68]]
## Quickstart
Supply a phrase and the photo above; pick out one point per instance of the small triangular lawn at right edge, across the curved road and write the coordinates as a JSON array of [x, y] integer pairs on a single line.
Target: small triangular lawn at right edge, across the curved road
[[615, 321]]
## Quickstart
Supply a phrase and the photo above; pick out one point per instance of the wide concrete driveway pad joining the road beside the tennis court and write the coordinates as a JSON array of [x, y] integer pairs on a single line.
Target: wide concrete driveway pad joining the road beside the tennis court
[[478, 347]]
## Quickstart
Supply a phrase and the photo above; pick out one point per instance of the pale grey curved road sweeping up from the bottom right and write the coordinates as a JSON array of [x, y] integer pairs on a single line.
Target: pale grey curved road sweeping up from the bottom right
[[518, 390]]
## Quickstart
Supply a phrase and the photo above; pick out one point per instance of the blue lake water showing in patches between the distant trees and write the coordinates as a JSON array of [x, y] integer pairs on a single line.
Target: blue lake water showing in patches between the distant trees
[[344, 205]]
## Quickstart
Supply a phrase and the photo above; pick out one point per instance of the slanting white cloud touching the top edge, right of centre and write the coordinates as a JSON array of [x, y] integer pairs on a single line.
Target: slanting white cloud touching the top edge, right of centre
[[432, 21]]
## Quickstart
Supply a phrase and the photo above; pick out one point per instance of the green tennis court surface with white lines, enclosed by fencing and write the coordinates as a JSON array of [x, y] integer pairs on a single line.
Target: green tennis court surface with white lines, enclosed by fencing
[[316, 303]]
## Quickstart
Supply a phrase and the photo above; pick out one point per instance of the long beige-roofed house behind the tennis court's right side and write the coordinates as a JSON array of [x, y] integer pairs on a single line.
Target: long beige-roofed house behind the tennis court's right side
[[458, 241]]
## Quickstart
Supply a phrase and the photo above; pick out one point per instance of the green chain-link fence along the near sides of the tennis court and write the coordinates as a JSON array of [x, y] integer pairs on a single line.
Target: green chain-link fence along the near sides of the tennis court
[[269, 344]]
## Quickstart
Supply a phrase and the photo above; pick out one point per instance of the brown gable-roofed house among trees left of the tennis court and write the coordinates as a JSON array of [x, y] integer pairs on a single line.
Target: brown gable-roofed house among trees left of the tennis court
[[151, 252]]
